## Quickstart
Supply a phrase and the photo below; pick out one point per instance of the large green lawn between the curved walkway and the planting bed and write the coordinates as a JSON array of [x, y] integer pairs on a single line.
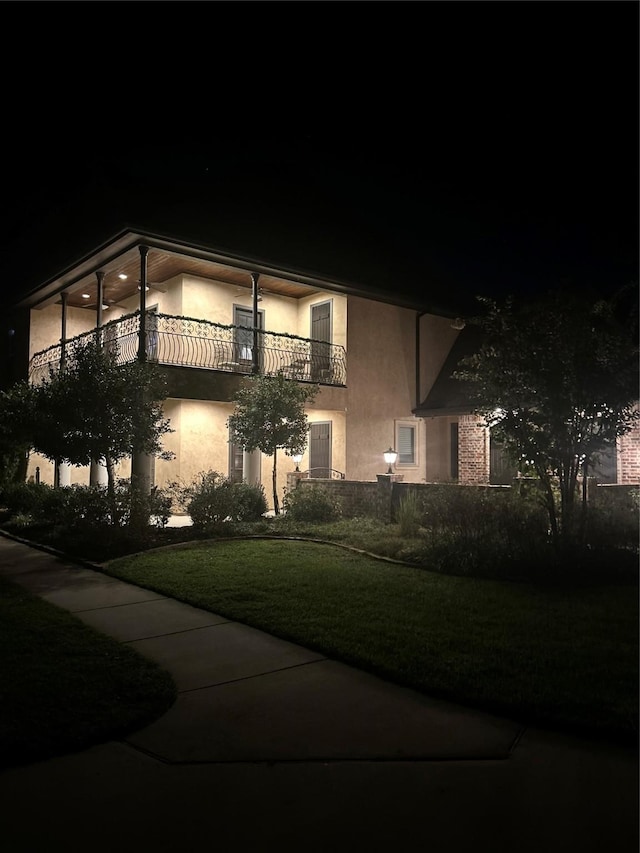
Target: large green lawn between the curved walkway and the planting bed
[[545, 655]]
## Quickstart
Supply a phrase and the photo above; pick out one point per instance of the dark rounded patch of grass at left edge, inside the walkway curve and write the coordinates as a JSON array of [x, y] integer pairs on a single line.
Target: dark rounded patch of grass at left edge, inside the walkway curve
[[64, 686]]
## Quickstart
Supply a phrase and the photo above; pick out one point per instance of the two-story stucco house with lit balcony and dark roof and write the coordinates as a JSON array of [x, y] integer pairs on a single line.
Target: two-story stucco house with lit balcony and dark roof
[[209, 319]]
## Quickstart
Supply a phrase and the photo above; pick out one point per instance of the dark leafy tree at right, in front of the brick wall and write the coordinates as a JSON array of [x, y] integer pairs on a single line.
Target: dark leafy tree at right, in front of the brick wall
[[556, 380]]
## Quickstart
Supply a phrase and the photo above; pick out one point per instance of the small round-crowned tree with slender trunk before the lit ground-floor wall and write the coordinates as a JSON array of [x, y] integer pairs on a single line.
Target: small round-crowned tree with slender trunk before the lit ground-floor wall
[[270, 415]]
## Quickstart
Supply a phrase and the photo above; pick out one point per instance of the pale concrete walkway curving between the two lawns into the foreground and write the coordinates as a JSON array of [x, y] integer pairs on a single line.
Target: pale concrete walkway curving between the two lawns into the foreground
[[272, 747]]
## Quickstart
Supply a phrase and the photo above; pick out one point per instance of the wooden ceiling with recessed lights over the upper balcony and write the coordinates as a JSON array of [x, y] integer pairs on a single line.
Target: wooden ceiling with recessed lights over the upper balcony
[[163, 265]]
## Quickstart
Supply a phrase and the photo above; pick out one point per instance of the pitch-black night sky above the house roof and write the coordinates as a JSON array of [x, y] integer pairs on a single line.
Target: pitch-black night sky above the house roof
[[489, 147]]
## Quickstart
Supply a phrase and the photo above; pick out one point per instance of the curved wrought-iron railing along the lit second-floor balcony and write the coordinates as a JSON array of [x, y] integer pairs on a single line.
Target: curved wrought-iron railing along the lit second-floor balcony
[[187, 342]]
